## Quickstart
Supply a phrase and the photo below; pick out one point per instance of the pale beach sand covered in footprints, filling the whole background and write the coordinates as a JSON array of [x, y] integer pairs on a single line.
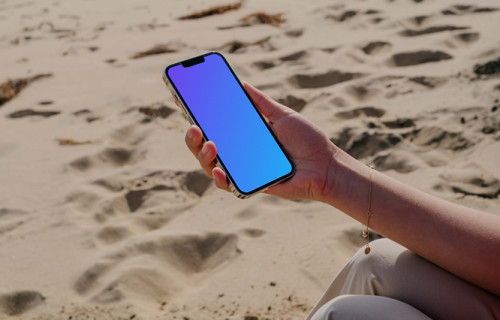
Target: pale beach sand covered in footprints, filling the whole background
[[105, 214]]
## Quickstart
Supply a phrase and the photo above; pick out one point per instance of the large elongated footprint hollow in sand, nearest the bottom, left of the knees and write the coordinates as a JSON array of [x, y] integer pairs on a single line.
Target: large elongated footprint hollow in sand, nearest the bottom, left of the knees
[[155, 267]]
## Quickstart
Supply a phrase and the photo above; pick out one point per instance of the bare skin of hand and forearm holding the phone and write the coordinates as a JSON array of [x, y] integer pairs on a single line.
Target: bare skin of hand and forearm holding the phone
[[464, 241]]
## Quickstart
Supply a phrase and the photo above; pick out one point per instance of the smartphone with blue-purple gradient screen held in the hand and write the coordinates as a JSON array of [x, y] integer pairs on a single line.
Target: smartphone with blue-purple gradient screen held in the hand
[[213, 98]]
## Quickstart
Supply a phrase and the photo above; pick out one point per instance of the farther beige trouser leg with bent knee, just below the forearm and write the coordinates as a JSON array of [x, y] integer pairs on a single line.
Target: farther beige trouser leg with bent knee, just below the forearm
[[391, 270]]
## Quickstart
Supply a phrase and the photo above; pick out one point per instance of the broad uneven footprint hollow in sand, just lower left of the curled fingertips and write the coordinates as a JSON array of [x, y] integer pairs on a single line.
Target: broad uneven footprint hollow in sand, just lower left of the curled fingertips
[[145, 197]]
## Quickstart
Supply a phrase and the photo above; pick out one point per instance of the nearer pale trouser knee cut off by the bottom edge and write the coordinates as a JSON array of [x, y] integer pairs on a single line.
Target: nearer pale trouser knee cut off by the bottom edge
[[367, 307]]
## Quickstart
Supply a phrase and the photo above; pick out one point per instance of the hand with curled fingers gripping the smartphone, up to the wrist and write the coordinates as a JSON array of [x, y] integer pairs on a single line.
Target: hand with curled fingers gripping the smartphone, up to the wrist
[[310, 150]]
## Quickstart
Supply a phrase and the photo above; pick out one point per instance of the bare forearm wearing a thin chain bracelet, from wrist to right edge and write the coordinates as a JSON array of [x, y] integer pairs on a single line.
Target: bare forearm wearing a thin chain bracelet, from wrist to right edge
[[461, 240]]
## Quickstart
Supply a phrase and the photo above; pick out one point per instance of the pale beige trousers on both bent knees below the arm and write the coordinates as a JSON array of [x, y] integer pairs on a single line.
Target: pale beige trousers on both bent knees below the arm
[[394, 283]]
